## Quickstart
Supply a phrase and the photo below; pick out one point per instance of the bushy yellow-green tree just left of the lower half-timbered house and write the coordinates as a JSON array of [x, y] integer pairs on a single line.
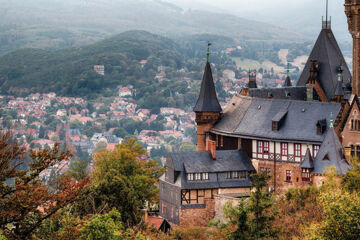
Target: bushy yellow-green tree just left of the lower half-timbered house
[[123, 180]]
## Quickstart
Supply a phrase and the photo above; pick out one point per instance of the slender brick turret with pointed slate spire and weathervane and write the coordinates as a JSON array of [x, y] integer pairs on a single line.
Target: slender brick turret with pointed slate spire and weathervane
[[207, 108]]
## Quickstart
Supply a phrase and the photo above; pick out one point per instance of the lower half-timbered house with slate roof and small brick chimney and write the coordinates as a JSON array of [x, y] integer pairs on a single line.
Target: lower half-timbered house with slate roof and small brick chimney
[[192, 179]]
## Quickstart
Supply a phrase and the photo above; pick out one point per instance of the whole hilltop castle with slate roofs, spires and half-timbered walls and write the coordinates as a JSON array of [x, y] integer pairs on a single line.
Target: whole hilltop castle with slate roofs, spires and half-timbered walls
[[292, 133]]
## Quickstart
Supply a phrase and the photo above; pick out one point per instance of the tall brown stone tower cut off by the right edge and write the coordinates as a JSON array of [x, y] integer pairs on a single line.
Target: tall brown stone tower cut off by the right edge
[[352, 8]]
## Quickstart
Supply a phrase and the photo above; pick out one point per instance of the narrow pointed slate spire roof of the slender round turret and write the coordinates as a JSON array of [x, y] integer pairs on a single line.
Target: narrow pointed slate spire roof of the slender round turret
[[207, 101]]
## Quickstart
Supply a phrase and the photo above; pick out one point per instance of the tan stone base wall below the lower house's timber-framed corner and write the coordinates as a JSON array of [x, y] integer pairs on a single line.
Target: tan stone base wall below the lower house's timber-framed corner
[[198, 216]]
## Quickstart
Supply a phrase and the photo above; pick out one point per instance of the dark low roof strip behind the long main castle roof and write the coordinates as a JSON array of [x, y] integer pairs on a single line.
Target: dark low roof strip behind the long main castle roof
[[293, 93]]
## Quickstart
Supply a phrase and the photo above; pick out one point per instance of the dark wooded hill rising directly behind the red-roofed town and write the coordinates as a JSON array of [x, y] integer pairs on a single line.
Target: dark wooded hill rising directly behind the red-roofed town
[[70, 72]]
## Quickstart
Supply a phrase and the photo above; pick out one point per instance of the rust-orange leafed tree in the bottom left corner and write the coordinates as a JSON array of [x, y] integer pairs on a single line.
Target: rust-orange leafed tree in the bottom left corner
[[26, 202]]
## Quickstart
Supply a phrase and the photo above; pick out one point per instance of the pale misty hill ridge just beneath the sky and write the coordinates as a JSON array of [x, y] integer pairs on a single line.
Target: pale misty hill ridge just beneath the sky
[[65, 23]]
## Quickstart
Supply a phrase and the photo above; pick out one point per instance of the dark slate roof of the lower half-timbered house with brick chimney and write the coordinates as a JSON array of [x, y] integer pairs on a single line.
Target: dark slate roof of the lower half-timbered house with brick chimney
[[197, 162]]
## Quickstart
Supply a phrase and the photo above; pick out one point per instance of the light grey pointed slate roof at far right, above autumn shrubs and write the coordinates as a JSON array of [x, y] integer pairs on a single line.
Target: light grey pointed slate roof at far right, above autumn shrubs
[[331, 153]]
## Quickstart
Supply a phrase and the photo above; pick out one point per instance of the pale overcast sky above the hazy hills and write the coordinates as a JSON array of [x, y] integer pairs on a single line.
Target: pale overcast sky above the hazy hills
[[300, 15]]
